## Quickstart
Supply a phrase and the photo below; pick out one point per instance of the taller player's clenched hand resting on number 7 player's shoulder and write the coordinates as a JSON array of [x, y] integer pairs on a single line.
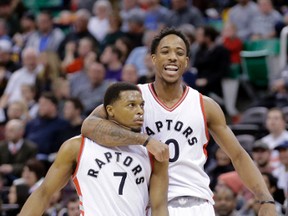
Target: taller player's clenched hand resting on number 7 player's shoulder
[[158, 149]]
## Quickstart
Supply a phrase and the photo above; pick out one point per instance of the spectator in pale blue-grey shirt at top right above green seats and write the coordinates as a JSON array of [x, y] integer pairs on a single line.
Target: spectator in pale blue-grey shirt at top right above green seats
[[264, 21]]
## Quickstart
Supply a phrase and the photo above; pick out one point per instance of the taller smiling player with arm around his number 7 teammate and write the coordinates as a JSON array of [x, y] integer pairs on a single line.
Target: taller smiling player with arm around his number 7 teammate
[[182, 118]]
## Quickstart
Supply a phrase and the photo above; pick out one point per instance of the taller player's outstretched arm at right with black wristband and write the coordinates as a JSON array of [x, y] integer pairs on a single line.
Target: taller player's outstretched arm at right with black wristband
[[242, 162]]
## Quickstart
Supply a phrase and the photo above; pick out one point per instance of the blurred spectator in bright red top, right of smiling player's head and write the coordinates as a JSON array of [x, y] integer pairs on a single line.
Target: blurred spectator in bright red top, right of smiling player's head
[[232, 42]]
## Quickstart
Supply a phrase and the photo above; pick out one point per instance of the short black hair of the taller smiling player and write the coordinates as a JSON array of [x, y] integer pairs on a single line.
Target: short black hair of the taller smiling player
[[164, 33]]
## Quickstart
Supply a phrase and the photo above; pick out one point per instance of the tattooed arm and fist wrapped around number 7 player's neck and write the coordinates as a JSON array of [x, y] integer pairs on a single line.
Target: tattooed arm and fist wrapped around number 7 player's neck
[[97, 128]]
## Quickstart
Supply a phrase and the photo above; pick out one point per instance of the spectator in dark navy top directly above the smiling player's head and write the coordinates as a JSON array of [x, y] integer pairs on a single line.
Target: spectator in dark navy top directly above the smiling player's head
[[182, 14]]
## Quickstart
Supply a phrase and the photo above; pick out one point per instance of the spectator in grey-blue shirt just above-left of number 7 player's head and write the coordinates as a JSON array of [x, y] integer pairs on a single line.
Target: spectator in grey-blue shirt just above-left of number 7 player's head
[[91, 94]]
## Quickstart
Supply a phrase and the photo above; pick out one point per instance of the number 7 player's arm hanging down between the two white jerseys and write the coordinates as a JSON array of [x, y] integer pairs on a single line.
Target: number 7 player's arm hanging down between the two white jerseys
[[159, 188]]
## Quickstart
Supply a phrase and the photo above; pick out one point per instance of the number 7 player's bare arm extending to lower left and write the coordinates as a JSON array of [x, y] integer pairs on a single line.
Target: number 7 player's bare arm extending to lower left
[[56, 178]]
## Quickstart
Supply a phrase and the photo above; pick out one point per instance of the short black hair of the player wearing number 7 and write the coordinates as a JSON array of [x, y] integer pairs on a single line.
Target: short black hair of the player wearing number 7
[[113, 92]]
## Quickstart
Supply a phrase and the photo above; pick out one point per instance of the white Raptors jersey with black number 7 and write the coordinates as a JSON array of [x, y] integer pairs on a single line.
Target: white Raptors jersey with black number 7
[[112, 181]]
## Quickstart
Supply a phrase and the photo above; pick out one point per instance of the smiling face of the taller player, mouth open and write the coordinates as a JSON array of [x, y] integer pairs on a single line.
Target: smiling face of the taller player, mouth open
[[170, 59]]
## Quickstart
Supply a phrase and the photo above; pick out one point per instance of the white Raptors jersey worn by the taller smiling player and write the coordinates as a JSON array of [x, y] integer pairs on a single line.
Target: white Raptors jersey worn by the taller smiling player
[[183, 128]]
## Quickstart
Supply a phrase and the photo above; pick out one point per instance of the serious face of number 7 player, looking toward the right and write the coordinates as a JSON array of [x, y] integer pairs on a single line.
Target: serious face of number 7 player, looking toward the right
[[128, 110]]
